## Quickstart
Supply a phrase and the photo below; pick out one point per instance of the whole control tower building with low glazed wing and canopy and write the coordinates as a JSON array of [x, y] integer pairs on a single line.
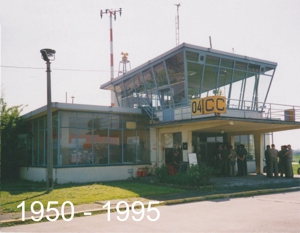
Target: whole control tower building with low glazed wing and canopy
[[189, 99]]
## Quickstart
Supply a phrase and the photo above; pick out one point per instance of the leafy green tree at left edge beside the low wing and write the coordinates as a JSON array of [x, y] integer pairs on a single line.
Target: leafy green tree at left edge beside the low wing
[[11, 151]]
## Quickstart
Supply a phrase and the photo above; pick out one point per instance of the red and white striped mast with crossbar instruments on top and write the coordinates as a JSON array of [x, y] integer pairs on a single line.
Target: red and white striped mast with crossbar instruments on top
[[112, 13]]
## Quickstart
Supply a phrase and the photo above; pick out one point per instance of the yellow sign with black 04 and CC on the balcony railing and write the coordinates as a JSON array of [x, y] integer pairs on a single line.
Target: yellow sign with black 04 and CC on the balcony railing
[[211, 104]]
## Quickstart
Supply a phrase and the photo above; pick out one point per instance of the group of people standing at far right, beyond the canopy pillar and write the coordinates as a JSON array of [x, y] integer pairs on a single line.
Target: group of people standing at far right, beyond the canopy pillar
[[284, 166]]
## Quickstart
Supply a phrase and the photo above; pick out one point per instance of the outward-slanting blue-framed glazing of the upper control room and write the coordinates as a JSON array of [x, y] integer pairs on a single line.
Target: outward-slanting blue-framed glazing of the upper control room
[[179, 76]]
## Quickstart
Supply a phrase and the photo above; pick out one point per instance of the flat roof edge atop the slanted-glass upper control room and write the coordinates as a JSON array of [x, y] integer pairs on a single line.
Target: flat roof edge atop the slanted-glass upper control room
[[192, 47]]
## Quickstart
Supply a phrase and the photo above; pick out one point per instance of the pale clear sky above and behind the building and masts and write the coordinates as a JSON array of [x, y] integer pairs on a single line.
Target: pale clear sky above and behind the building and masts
[[264, 29]]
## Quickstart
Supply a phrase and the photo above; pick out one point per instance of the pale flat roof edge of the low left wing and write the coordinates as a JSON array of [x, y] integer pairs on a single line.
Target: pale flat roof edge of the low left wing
[[81, 108]]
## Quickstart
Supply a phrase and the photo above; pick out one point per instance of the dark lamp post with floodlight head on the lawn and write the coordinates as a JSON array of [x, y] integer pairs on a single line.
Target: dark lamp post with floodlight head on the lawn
[[49, 55]]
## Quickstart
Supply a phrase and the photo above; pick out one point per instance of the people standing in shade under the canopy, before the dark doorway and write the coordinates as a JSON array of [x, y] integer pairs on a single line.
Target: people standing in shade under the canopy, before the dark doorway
[[227, 158]]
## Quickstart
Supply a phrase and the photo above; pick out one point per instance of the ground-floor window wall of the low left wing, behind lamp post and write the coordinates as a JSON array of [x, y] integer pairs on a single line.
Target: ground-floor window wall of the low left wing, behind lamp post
[[87, 139]]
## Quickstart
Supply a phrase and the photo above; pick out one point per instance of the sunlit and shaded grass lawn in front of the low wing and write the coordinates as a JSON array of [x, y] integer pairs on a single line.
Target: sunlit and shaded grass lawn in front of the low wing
[[13, 193]]
